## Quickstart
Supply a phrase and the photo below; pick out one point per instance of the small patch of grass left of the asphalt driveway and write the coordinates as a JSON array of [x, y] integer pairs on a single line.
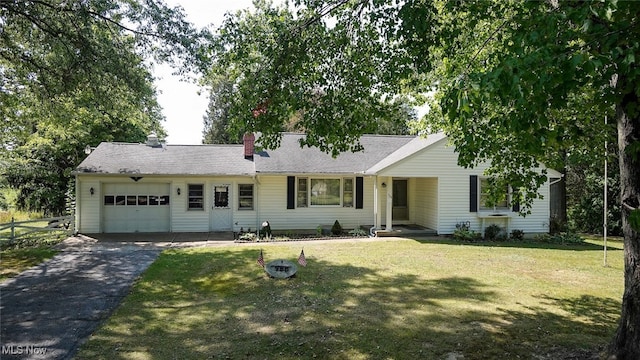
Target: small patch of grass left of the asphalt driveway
[[15, 261]]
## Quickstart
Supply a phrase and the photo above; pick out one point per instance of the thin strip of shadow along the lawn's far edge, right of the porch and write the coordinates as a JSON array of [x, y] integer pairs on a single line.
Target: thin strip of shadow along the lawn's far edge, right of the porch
[[526, 244]]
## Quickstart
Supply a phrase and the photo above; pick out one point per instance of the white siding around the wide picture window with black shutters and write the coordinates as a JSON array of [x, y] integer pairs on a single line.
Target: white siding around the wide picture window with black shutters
[[273, 208]]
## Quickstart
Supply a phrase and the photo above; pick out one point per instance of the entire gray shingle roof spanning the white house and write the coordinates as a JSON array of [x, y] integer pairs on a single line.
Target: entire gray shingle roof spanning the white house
[[379, 152]]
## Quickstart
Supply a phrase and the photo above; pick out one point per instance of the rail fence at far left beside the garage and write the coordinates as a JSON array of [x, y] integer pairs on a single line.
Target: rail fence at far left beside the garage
[[26, 228]]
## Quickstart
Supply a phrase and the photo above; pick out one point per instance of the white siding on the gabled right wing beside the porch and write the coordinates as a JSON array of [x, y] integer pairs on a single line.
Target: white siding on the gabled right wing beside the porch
[[440, 160]]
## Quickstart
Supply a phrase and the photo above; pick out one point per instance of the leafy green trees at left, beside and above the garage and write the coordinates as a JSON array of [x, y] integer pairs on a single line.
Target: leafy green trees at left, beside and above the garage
[[73, 73]]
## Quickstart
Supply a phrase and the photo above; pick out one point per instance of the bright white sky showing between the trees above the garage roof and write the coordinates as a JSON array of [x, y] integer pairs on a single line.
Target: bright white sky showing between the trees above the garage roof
[[183, 108]]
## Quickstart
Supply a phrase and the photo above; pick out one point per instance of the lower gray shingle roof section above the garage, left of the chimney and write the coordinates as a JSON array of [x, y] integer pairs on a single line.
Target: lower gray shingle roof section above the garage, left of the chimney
[[125, 158]]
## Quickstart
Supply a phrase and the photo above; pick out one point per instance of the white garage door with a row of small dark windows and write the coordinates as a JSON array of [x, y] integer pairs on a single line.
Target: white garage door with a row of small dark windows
[[135, 208]]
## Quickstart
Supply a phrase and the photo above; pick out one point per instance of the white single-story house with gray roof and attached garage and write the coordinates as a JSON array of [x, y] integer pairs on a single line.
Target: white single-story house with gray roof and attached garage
[[396, 180]]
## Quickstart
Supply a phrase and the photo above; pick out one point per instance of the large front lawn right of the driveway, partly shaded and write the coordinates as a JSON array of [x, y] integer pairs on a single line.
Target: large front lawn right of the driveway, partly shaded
[[393, 299]]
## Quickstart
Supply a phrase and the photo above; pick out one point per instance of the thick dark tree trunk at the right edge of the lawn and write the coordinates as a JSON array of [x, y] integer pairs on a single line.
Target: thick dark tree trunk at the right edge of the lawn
[[626, 343]]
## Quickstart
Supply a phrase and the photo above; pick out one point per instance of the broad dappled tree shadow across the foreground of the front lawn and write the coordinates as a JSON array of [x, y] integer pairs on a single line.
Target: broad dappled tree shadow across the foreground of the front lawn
[[219, 304]]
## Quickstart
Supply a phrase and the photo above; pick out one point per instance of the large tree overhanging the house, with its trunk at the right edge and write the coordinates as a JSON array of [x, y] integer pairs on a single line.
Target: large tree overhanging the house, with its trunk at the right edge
[[515, 83]]
